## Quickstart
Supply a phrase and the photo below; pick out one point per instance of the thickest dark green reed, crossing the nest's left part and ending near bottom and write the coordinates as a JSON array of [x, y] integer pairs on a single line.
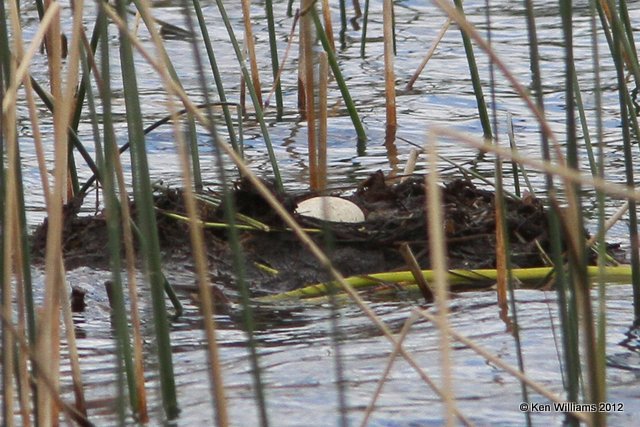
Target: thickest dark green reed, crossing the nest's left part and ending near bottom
[[146, 216]]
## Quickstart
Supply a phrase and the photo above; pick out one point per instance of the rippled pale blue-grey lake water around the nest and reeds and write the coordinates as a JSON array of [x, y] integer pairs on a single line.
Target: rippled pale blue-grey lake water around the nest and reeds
[[297, 352]]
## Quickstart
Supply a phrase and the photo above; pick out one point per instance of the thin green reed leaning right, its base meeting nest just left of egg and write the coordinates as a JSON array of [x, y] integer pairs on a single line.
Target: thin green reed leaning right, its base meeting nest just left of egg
[[254, 97]]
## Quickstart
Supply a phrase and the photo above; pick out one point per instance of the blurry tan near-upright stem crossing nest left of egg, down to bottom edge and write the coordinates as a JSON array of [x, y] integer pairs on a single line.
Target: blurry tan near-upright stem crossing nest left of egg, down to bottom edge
[[197, 241]]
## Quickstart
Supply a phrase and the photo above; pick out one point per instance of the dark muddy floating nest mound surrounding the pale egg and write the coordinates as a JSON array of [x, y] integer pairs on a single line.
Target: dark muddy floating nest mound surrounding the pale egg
[[276, 261]]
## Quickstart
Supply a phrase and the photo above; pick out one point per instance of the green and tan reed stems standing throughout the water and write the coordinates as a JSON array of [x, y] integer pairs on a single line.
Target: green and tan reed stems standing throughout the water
[[82, 86]]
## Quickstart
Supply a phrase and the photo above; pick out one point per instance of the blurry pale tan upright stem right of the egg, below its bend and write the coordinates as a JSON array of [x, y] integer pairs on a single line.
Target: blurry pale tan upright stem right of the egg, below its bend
[[437, 249]]
